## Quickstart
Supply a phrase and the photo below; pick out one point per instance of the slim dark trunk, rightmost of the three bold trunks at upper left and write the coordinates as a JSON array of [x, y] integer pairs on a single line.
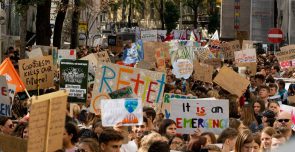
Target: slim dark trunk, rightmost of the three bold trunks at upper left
[[75, 25]]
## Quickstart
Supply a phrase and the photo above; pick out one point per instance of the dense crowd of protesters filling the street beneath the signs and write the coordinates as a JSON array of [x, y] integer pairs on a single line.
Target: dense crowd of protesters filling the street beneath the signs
[[256, 121]]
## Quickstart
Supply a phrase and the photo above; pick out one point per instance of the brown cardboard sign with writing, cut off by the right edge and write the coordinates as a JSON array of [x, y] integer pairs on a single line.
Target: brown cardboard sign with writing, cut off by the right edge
[[286, 56]]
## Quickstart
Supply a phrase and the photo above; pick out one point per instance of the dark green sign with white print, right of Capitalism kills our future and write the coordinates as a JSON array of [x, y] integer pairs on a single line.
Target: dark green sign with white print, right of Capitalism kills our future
[[74, 78]]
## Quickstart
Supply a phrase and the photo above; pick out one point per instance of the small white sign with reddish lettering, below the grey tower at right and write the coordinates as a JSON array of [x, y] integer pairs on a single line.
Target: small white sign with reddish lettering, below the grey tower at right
[[245, 56]]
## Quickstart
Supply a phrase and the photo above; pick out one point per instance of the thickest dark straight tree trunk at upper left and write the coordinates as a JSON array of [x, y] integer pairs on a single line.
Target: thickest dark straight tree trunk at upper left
[[43, 30]]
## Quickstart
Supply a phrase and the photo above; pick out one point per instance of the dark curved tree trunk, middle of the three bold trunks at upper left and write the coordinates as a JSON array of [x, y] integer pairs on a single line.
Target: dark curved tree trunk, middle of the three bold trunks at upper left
[[59, 23]]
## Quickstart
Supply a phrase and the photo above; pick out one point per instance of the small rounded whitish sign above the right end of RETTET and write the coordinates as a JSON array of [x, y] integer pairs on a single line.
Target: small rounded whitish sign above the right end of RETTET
[[182, 68]]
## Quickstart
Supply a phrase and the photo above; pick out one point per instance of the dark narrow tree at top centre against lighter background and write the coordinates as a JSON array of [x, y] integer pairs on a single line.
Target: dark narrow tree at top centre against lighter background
[[171, 16]]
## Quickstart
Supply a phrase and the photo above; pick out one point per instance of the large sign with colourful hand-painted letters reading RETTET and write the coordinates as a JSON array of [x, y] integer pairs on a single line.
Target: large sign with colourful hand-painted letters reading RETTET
[[148, 85]]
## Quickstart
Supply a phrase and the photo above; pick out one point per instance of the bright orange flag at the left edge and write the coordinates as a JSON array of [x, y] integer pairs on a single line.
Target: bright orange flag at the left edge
[[12, 77]]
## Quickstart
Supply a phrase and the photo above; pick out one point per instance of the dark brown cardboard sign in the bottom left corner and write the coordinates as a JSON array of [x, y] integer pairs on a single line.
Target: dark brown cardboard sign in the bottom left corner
[[10, 143]]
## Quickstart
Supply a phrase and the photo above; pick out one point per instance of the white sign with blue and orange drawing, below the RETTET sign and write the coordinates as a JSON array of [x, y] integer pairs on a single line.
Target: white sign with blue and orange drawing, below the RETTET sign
[[125, 111]]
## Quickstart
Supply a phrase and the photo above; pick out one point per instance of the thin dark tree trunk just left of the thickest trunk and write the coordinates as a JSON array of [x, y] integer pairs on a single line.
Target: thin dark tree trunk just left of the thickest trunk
[[23, 32]]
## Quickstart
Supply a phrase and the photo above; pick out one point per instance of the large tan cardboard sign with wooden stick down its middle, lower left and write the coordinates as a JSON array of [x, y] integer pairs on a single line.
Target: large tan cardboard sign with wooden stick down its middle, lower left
[[47, 122]]
